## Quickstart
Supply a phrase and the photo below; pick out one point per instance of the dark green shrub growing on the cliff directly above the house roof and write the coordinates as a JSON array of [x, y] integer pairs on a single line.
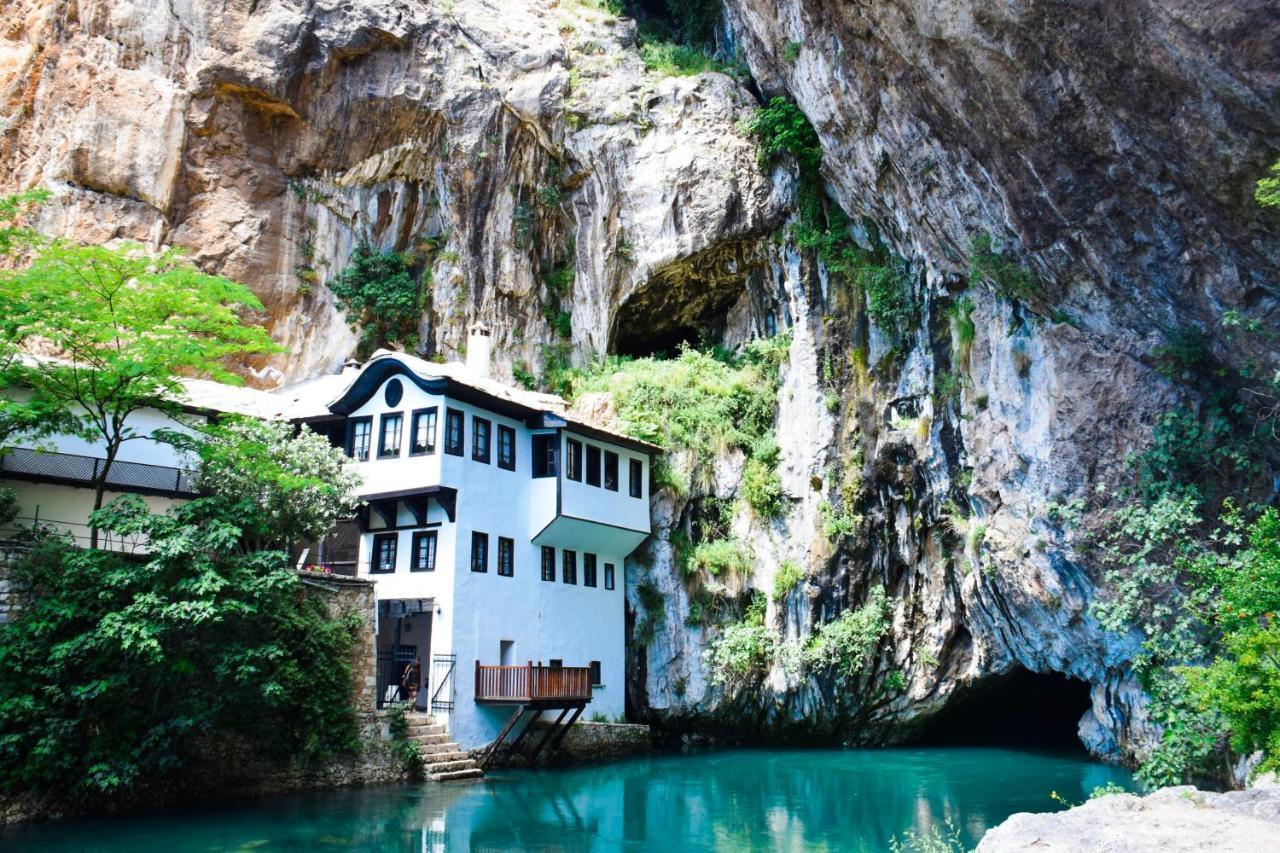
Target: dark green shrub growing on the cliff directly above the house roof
[[378, 293]]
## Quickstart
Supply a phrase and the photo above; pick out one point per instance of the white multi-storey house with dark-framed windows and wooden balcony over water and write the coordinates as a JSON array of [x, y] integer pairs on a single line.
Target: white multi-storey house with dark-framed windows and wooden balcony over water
[[496, 528]]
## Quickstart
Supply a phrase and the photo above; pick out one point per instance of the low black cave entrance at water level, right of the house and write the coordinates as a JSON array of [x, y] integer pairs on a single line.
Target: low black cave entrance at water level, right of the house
[[1022, 709]]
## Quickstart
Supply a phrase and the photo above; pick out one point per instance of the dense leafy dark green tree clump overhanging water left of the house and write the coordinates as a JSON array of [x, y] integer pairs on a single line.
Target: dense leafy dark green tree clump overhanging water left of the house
[[117, 667]]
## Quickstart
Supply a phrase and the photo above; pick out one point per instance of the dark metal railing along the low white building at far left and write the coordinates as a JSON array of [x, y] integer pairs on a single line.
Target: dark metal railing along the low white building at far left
[[72, 469]]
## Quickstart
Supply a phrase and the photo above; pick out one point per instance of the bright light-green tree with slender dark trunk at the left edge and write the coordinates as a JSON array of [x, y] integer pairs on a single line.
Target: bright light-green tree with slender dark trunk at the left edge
[[127, 327]]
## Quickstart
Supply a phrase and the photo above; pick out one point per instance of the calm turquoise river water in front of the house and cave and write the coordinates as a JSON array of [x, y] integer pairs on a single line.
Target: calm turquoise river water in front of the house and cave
[[743, 800]]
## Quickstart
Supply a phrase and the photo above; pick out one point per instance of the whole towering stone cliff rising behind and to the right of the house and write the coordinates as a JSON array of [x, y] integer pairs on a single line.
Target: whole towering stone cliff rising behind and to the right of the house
[[551, 186]]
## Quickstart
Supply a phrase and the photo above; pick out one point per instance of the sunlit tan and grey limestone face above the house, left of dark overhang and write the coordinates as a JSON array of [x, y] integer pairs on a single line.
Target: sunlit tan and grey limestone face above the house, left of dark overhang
[[500, 143]]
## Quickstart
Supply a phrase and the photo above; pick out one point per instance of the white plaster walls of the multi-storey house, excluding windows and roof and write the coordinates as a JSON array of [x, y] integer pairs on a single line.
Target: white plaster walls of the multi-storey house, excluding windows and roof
[[477, 612]]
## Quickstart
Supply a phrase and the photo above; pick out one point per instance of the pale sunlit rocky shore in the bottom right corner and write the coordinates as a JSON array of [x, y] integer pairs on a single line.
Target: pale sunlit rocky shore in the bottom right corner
[[1171, 820]]
